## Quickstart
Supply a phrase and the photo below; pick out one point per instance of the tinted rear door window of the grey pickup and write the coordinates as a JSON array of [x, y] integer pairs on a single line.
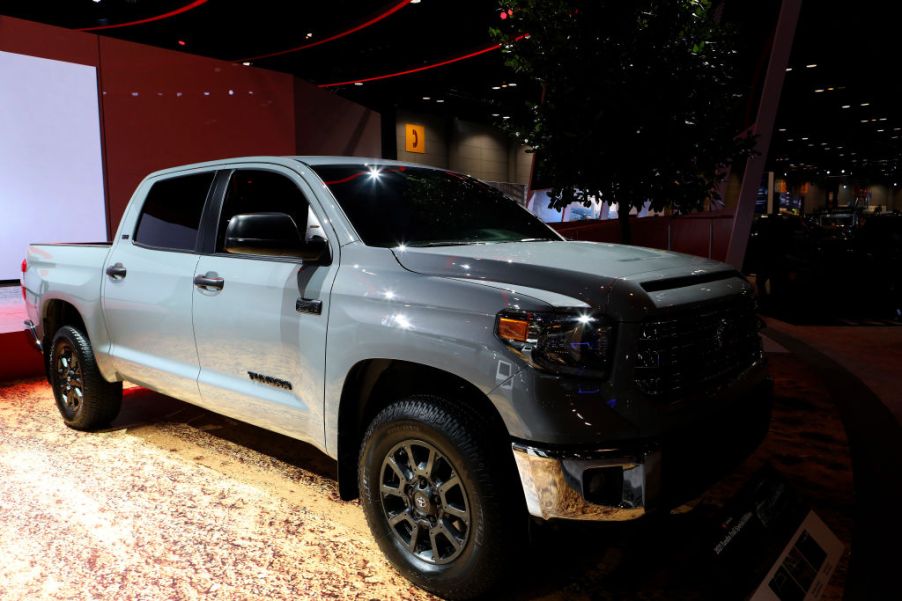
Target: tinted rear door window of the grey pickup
[[171, 214]]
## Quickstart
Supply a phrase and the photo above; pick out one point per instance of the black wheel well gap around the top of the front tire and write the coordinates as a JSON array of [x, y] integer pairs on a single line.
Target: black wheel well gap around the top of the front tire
[[372, 384]]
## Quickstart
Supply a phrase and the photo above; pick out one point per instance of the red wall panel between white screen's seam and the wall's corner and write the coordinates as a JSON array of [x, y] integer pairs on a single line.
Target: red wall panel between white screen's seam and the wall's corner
[[163, 108]]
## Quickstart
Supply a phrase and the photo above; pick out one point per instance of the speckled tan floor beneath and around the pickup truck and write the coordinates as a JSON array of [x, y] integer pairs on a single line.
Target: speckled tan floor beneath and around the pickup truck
[[177, 503]]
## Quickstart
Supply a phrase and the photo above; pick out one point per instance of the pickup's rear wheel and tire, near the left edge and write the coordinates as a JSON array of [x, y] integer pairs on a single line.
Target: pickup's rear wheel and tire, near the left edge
[[84, 399]]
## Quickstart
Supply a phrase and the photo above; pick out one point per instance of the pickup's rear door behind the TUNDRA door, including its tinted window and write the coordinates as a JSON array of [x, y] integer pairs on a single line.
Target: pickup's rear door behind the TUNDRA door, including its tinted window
[[148, 291]]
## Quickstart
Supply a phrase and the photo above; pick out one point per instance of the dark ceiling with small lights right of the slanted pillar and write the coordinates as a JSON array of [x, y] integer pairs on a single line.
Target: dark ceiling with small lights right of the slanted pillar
[[839, 110]]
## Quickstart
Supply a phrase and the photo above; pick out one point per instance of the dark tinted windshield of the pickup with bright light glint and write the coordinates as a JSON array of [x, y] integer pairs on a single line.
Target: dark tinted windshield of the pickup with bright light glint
[[413, 206]]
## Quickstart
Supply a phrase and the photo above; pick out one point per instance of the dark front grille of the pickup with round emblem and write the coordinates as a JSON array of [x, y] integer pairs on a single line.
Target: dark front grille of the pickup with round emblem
[[697, 350]]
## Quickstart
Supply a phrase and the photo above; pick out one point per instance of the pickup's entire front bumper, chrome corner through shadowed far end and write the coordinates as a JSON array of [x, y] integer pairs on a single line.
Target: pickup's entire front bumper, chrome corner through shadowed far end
[[624, 483]]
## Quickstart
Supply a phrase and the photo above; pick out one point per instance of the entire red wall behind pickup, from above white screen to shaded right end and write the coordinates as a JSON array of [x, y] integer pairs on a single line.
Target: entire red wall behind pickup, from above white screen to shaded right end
[[161, 108]]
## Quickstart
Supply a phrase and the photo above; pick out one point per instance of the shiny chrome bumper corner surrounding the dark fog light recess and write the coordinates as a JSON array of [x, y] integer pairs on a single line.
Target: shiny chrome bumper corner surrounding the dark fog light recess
[[551, 483]]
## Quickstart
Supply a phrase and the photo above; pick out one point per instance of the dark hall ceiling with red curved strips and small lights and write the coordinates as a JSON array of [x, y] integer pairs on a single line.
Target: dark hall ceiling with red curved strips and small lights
[[852, 45]]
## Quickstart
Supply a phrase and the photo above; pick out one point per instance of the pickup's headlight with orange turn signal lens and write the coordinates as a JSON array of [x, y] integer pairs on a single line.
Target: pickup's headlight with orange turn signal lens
[[571, 342]]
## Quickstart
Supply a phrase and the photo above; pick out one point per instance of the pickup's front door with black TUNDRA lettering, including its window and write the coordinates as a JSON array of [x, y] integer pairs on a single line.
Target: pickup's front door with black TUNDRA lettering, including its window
[[261, 337]]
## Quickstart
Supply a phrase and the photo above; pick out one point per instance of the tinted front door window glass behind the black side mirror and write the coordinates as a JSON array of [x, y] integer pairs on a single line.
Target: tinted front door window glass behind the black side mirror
[[257, 191]]
